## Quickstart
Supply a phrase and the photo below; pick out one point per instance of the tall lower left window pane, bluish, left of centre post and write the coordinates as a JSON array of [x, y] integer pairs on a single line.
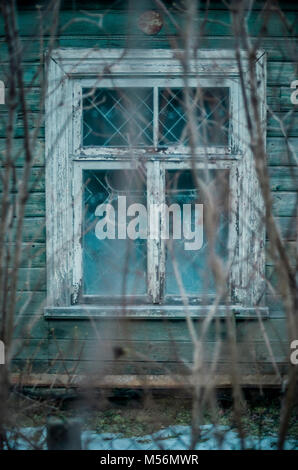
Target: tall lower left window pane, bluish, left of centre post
[[113, 264]]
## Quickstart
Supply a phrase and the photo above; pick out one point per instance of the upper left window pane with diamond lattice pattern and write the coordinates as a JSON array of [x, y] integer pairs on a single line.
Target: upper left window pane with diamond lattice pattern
[[118, 118]]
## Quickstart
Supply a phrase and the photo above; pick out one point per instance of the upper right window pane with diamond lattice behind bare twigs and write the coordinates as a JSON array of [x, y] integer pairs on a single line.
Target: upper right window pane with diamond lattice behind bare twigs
[[210, 107]]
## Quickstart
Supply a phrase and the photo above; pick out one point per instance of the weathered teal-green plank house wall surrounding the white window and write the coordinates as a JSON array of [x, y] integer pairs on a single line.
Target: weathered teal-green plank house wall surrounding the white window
[[49, 344]]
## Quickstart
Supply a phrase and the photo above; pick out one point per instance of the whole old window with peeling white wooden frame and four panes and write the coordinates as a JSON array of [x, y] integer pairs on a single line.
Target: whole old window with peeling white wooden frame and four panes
[[125, 213]]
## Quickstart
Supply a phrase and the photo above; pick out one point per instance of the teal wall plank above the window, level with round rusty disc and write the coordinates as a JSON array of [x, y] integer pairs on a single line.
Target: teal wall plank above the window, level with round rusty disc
[[111, 22]]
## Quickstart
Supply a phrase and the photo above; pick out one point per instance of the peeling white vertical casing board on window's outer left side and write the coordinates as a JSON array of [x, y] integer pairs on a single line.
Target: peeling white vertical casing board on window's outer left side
[[59, 216]]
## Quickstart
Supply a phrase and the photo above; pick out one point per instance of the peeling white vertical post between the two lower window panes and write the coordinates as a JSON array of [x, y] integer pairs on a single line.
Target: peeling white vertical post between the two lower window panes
[[155, 245]]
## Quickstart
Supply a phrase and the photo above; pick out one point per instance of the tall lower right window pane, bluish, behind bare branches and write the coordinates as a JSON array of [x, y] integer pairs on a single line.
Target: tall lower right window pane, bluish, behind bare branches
[[192, 263]]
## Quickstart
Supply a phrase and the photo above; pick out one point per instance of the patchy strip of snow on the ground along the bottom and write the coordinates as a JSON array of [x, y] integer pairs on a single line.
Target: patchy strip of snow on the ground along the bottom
[[171, 438]]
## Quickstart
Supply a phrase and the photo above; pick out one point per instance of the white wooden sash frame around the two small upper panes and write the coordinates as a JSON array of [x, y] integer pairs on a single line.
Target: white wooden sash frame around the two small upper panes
[[230, 151]]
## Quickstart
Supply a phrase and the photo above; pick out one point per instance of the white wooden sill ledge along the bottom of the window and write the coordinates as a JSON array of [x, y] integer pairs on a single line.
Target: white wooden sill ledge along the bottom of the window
[[172, 312]]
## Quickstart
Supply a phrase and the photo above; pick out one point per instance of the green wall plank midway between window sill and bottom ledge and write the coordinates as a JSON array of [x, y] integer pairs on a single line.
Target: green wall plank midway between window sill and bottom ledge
[[161, 351]]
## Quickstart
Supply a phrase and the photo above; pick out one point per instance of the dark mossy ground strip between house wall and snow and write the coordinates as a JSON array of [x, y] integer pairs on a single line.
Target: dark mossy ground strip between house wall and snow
[[136, 414]]
